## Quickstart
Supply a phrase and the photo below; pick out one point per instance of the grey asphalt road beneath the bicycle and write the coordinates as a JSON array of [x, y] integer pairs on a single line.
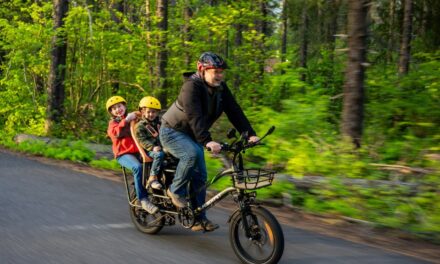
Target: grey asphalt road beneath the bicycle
[[50, 214]]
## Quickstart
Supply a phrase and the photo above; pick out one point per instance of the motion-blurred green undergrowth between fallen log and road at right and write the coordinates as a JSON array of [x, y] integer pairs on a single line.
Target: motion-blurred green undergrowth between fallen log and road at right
[[388, 206]]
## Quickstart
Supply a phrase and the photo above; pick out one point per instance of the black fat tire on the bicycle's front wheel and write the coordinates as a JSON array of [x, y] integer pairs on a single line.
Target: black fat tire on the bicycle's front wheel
[[270, 222]]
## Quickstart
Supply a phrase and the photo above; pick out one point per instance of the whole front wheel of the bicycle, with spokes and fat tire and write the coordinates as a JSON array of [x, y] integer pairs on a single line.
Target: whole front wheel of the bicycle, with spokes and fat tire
[[264, 241]]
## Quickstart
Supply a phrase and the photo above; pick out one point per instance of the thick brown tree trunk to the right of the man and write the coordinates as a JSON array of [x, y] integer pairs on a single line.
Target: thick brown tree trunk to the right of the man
[[353, 105]]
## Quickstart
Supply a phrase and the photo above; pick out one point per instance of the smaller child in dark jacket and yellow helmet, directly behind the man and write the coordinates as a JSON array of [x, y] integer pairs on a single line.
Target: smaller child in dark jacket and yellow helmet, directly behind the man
[[147, 133]]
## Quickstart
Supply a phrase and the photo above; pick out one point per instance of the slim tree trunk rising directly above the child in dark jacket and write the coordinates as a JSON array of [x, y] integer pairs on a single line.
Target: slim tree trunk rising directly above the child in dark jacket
[[162, 55]]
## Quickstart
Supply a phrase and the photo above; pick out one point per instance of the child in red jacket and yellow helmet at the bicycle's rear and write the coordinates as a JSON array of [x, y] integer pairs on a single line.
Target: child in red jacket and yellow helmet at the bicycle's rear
[[124, 147]]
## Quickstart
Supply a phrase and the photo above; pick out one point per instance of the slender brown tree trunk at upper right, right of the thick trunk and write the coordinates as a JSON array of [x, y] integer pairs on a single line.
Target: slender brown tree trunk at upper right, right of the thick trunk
[[405, 44]]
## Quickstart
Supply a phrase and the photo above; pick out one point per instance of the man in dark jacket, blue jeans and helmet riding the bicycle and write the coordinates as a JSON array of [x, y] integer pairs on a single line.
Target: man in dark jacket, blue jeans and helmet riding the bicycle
[[204, 96]]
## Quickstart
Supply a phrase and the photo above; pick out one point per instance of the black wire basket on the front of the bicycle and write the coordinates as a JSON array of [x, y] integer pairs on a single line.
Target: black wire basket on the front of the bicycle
[[251, 179]]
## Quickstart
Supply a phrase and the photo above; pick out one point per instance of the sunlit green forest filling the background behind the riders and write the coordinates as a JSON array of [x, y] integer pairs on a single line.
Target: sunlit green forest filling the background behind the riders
[[352, 87]]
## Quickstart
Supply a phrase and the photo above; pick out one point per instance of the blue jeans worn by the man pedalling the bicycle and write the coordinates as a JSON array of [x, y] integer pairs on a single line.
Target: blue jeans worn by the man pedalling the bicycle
[[191, 166]]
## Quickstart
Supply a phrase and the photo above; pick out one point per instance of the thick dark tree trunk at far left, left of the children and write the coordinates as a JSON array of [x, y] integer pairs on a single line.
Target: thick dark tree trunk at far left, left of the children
[[55, 104]]
